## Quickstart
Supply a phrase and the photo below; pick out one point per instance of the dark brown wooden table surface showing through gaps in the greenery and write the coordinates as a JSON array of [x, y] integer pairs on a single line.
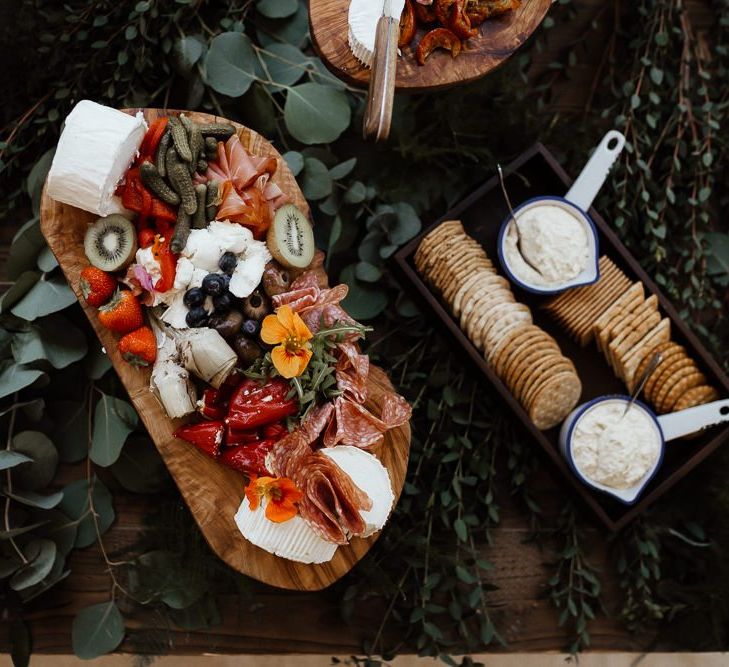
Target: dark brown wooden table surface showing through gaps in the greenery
[[523, 615]]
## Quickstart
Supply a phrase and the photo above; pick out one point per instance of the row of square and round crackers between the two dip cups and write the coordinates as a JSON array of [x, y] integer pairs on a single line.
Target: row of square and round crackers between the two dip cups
[[629, 330]]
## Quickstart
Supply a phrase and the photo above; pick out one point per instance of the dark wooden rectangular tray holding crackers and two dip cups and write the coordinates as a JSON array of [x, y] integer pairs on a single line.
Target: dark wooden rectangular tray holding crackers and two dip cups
[[536, 172]]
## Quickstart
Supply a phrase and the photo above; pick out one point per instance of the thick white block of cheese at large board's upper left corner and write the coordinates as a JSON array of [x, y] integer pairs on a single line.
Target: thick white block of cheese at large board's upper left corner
[[96, 147]]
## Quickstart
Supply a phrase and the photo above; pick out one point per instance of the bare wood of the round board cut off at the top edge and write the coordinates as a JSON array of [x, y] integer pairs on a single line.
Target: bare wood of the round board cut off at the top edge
[[497, 40]]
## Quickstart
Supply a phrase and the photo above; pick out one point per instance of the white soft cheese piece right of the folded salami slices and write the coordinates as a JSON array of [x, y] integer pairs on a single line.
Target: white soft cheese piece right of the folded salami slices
[[369, 475]]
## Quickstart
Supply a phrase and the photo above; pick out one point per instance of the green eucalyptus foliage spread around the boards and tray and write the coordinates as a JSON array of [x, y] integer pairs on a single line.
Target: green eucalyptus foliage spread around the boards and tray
[[659, 82]]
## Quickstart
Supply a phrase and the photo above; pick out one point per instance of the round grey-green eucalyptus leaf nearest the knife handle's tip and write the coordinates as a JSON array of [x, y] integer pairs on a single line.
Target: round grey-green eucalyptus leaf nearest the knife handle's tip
[[315, 113]]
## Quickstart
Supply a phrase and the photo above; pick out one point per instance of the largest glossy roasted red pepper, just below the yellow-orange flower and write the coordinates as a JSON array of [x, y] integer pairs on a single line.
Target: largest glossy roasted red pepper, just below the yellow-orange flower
[[253, 405]]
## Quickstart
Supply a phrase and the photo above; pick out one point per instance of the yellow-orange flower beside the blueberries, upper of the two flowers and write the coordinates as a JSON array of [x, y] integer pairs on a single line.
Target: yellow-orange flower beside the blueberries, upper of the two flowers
[[287, 331]]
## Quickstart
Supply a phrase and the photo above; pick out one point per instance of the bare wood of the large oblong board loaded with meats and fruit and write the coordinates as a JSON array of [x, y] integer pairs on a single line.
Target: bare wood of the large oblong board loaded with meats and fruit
[[211, 491]]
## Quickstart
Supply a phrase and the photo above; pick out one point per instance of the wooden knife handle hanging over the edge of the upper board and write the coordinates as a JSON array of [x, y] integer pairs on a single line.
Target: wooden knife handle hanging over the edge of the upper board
[[381, 94]]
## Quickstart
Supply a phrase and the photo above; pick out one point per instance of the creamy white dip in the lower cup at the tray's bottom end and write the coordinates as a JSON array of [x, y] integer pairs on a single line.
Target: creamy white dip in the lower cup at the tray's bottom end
[[613, 450]]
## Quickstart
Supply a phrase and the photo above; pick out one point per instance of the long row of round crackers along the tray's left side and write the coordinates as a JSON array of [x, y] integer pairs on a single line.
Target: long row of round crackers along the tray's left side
[[526, 358]]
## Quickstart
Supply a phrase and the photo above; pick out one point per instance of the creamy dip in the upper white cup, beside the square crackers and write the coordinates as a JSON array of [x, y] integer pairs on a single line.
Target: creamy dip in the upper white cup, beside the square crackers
[[552, 240]]
